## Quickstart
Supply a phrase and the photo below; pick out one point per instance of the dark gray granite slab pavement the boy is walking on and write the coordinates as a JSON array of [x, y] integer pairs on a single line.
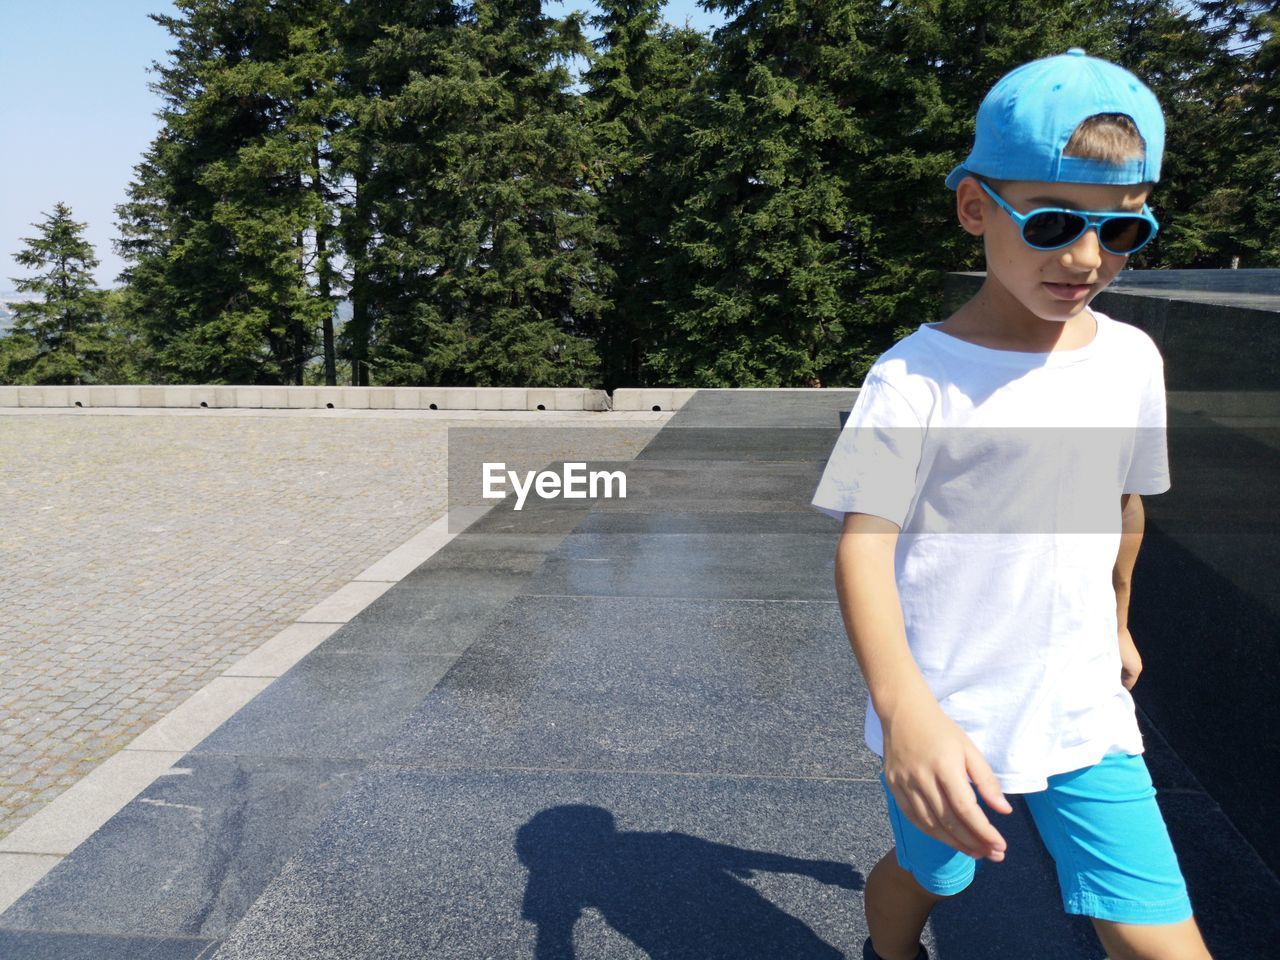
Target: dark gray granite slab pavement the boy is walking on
[[604, 730]]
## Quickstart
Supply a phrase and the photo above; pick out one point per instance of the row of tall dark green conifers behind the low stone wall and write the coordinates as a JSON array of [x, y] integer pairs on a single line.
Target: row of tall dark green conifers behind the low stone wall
[[760, 207]]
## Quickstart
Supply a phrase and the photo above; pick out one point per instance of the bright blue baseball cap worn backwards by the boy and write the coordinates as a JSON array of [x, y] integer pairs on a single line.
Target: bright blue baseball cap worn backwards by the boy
[[1026, 121]]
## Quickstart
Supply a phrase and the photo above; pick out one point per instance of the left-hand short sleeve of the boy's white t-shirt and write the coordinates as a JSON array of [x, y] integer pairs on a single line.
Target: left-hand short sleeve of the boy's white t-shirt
[[872, 468]]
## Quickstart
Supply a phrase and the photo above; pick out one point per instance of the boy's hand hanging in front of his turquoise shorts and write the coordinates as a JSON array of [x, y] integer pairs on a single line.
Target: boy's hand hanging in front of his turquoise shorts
[[929, 765]]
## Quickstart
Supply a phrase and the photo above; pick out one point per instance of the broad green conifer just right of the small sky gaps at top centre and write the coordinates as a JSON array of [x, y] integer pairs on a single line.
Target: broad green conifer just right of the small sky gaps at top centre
[[760, 269]]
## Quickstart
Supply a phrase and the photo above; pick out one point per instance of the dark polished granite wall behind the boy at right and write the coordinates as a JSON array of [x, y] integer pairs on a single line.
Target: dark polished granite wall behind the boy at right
[[1206, 601]]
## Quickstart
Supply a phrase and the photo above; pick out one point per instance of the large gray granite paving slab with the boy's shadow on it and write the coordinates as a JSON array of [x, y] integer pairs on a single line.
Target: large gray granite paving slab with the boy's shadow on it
[[532, 863]]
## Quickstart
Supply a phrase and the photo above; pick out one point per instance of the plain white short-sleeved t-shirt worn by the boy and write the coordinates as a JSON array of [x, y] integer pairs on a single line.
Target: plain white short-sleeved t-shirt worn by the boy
[[1004, 472]]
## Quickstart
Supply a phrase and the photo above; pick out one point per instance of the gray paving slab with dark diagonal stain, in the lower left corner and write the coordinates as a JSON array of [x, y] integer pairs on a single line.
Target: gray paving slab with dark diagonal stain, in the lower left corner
[[191, 853]]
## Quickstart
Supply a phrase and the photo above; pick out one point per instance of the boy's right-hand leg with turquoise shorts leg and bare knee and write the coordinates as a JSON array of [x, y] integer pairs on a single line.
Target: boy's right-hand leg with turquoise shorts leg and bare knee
[[1116, 861]]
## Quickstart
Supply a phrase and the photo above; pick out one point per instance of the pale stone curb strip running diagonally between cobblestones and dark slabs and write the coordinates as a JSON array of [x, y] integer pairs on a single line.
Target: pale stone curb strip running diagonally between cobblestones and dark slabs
[[51, 835]]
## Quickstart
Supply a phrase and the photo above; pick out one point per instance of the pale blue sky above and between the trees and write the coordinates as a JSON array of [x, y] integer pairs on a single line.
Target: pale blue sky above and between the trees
[[76, 113]]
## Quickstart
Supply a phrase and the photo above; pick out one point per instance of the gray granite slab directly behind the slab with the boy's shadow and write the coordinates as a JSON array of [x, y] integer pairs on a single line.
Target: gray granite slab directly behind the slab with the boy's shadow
[[650, 684]]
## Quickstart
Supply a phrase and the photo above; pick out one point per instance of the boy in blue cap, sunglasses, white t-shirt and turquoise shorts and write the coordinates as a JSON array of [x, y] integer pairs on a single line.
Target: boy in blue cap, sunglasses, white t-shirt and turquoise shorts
[[986, 596]]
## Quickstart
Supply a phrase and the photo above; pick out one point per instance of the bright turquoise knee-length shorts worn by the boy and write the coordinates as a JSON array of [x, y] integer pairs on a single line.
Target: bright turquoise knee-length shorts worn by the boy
[[1104, 830]]
